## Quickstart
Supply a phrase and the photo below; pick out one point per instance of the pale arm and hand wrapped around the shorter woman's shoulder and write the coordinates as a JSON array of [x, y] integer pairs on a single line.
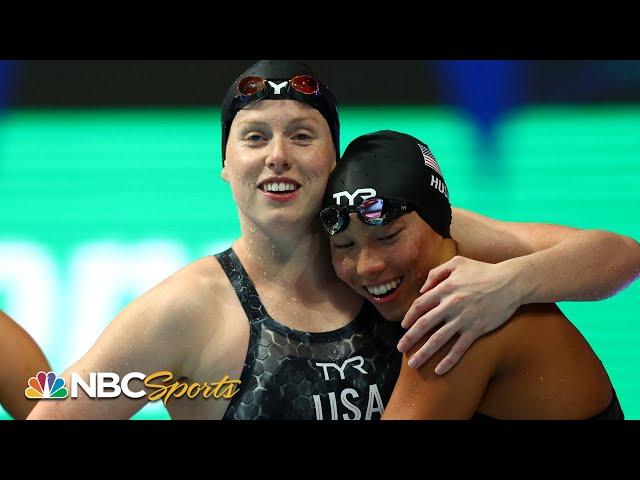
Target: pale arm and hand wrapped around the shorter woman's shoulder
[[503, 265]]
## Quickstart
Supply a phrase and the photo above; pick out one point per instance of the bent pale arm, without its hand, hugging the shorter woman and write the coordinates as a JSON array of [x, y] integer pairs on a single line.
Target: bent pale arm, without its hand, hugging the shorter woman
[[550, 263]]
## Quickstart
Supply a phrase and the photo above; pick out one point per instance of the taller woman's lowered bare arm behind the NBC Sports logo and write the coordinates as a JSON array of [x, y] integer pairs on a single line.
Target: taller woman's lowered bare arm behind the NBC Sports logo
[[143, 338]]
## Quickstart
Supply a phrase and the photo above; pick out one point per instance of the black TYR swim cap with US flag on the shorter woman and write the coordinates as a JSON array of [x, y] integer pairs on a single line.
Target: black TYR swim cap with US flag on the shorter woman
[[392, 165]]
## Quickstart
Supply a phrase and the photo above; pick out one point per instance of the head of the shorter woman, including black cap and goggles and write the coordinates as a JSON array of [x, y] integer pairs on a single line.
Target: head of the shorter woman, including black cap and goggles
[[394, 189]]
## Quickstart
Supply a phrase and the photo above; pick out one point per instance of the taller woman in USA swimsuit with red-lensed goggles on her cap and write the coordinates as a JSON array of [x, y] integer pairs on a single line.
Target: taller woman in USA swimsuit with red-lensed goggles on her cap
[[270, 311]]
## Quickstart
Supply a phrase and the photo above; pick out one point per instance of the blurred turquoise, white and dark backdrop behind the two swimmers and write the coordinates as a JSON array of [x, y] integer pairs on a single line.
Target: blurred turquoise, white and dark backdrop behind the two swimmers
[[109, 174]]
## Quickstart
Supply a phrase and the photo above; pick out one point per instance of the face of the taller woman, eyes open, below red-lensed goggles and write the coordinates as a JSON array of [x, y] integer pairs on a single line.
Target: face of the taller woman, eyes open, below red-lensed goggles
[[264, 139]]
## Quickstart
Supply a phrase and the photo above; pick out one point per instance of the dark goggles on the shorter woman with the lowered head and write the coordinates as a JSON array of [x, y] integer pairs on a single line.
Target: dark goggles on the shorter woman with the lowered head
[[373, 211]]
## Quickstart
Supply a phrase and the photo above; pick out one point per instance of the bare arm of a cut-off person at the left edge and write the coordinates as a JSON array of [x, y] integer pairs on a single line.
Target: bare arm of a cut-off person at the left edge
[[20, 359]]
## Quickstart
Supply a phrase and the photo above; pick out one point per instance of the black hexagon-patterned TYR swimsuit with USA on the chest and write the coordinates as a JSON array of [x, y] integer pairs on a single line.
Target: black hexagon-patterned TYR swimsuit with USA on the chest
[[346, 374]]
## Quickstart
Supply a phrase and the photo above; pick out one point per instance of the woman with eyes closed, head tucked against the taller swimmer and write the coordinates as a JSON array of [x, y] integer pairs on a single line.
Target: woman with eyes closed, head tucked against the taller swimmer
[[383, 240]]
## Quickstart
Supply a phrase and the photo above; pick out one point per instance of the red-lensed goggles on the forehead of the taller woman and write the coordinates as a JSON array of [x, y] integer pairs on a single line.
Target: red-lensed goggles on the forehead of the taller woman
[[251, 89]]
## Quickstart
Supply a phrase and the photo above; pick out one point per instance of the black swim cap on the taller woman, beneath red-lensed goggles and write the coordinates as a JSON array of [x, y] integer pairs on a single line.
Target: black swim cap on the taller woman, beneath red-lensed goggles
[[279, 71]]
